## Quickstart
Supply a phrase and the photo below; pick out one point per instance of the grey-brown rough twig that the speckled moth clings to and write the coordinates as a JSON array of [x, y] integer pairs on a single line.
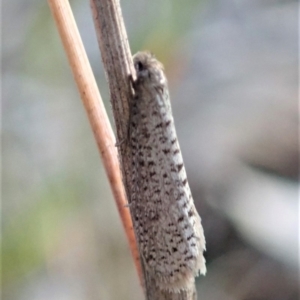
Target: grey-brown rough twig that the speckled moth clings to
[[117, 61]]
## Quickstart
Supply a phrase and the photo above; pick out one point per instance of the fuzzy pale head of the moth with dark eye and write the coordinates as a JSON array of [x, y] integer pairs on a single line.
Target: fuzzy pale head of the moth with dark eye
[[148, 69]]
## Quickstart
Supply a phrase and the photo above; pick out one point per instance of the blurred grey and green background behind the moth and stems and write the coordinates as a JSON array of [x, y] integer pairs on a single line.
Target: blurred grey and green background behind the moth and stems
[[232, 68]]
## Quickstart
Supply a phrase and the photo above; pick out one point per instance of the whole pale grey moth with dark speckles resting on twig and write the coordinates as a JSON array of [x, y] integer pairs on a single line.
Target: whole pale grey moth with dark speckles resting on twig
[[167, 225]]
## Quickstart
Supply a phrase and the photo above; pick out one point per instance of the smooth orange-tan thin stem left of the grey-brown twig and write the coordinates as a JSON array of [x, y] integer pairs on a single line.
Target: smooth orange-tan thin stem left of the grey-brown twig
[[97, 116]]
